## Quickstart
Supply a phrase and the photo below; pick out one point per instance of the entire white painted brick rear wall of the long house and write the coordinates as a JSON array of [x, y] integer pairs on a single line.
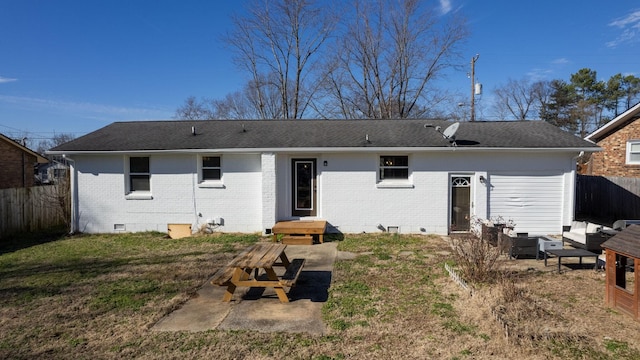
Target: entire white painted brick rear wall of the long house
[[257, 190]]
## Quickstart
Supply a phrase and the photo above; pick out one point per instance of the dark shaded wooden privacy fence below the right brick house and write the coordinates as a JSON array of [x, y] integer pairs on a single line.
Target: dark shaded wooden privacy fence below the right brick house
[[607, 198]]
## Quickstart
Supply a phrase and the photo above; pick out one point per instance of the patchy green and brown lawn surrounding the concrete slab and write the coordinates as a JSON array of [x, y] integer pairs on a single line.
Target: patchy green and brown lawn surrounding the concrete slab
[[97, 296]]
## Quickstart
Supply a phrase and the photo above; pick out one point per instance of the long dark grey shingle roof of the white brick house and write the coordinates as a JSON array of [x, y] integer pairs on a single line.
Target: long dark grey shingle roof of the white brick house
[[278, 134]]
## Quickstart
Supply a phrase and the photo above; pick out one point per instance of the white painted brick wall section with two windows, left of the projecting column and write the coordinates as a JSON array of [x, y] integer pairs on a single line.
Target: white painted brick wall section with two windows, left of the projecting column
[[177, 198]]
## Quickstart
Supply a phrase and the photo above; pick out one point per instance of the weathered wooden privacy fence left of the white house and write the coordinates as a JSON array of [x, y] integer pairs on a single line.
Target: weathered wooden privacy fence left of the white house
[[31, 209]]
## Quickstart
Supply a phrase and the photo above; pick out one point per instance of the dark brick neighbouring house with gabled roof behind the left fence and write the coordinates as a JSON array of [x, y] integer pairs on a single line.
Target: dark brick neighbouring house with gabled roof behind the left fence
[[17, 163]]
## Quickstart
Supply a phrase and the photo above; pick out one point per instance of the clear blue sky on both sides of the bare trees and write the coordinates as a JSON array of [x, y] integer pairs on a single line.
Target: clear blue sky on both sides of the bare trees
[[75, 66]]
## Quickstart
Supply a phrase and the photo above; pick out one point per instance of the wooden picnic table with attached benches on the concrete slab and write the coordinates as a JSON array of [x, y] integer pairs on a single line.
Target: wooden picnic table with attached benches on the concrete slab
[[244, 270]]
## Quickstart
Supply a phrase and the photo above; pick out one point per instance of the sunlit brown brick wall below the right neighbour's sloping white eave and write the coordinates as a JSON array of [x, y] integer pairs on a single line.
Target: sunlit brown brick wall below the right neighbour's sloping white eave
[[611, 161]]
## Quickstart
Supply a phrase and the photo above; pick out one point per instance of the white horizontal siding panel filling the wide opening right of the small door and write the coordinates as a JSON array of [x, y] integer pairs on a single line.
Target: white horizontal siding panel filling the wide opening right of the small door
[[533, 202]]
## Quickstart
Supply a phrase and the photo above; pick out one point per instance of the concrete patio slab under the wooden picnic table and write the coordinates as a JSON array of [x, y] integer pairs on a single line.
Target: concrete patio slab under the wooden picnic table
[[259, 309]]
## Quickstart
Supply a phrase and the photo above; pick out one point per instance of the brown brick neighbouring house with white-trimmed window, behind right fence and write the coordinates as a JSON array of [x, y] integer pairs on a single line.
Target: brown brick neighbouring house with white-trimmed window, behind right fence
[[620, 141]]
